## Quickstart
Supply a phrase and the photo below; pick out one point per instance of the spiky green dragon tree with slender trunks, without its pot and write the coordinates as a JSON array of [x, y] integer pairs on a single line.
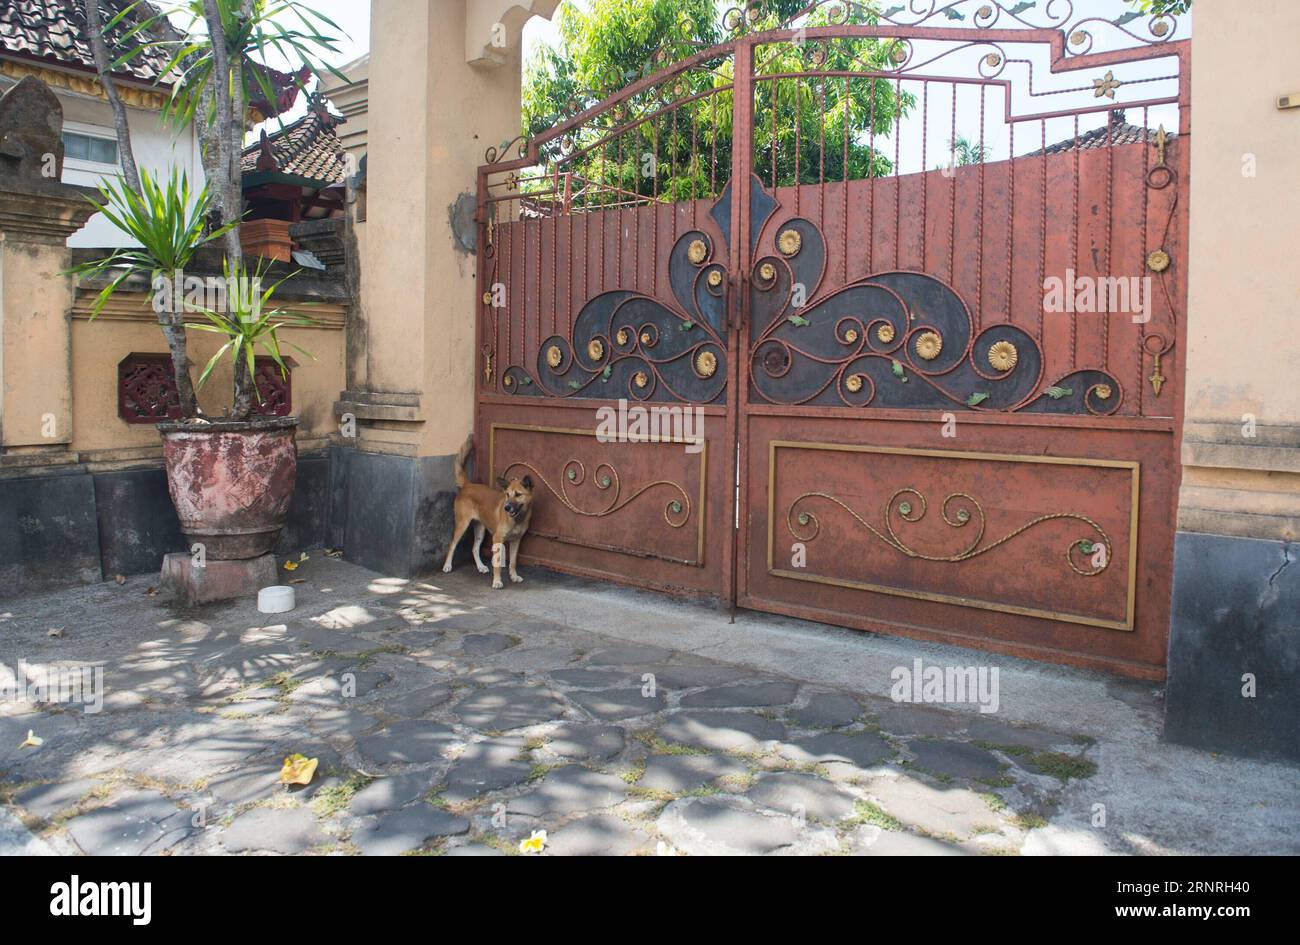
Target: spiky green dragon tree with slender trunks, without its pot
[[213, 73]]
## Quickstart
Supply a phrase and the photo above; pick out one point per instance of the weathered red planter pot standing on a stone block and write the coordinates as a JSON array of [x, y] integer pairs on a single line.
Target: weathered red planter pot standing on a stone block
[[232, 483]]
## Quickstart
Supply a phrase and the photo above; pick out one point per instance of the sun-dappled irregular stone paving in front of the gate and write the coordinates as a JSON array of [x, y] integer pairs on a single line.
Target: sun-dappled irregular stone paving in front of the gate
[[445, 722]]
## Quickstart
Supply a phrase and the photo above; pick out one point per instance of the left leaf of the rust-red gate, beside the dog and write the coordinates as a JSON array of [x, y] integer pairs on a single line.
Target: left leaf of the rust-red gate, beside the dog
[[605, 333]]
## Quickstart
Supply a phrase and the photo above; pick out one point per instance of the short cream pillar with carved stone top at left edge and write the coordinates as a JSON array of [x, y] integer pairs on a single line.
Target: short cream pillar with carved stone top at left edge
[[47, 505]]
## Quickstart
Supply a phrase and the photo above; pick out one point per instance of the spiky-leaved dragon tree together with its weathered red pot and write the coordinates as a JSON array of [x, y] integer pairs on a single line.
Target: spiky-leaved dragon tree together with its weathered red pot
[[231, 476]]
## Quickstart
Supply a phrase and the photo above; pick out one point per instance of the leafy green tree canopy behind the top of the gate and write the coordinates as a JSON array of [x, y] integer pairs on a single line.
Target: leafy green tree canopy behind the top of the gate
[[677, 137]]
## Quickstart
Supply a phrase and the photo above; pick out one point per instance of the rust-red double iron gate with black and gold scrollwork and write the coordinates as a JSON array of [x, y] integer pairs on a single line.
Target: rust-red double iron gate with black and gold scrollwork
[[869, 254]]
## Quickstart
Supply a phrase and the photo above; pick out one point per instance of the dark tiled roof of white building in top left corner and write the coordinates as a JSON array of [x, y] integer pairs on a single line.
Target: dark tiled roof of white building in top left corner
[[57, 32]]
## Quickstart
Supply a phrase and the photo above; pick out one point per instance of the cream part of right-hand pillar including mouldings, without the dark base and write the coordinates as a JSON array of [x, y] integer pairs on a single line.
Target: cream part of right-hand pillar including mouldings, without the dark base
[[1242, 428]]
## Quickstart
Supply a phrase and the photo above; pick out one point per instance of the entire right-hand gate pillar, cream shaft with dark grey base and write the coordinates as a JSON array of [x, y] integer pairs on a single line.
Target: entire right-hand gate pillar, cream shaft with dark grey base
[[1237, 586]]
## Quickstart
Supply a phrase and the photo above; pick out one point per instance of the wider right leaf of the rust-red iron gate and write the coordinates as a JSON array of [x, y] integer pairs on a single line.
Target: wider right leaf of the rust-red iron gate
[[935, 444]]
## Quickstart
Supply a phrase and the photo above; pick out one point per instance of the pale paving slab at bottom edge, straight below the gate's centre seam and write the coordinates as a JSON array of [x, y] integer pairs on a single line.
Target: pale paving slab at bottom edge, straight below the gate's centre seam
[[726, 827]]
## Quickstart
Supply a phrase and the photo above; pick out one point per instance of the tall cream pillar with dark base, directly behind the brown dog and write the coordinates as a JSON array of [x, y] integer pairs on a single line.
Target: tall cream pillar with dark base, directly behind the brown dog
[[432, 115]]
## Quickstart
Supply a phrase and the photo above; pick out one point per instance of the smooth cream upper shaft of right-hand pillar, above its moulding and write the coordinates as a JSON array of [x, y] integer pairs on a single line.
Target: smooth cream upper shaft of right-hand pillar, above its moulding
[[1245, 284]]
